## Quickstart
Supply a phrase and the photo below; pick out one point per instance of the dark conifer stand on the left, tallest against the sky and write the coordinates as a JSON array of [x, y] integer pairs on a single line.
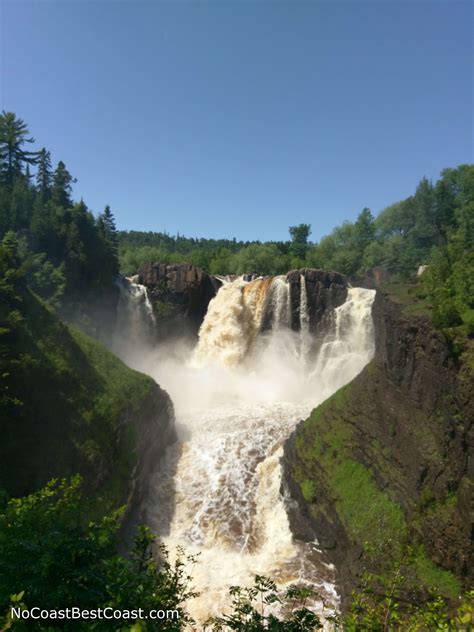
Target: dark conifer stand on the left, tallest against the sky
[[67, 250]]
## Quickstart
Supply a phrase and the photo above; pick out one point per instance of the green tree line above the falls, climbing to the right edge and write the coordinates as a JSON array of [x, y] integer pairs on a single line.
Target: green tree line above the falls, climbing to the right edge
[[432, 227]]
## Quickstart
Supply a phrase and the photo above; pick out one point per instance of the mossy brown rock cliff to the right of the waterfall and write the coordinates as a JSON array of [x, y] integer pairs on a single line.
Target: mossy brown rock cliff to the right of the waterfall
[[405, 424]]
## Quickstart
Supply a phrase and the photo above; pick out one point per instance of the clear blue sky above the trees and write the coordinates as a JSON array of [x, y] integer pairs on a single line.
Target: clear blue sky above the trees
[[241, 118]]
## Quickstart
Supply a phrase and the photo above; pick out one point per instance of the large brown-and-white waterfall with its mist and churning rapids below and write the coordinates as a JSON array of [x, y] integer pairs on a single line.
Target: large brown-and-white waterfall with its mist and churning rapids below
[[238, 395]]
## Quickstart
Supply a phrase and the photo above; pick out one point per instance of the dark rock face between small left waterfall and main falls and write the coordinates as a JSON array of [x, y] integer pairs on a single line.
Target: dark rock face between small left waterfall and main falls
[[180, 295]]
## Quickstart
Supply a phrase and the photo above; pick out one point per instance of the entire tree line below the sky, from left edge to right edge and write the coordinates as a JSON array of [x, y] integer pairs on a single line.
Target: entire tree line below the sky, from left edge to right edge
[[72, 253]]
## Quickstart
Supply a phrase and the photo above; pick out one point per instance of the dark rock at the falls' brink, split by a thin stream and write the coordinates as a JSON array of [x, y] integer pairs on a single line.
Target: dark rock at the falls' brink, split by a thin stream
[[324, 292]]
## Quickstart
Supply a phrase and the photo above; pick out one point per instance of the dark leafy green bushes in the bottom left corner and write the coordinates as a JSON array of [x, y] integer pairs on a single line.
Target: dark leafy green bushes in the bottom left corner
[[53, 556]]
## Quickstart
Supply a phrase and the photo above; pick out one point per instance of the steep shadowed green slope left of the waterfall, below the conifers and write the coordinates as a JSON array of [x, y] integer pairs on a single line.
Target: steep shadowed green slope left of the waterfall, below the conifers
[[69, 406]]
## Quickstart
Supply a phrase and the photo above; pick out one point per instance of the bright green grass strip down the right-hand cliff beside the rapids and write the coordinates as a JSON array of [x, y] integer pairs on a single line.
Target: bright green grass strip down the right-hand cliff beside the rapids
[[372, 517]]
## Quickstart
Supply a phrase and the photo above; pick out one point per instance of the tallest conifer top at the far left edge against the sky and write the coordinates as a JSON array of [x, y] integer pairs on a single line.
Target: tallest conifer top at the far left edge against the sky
[[13, 135]]
